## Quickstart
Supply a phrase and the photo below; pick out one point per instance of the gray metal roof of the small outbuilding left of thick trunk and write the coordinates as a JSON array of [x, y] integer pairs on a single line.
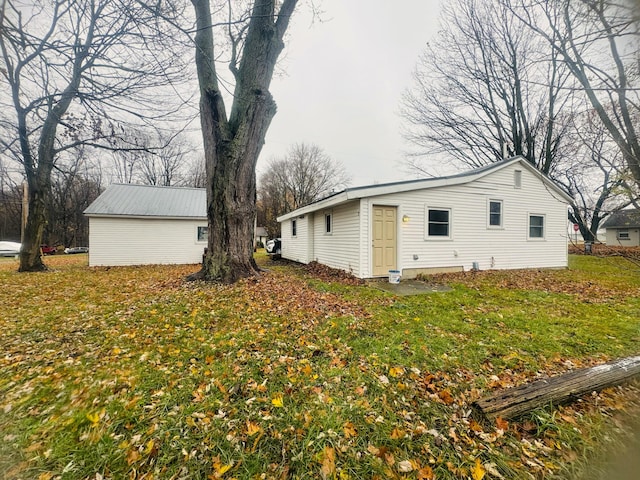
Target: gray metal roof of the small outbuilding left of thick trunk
[[150, 201]]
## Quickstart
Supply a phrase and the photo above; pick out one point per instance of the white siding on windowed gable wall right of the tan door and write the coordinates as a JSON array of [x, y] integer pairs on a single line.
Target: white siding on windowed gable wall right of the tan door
[[500, 248]]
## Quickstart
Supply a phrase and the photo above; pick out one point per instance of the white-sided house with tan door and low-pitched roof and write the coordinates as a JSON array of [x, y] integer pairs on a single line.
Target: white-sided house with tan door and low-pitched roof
[[506, 215]]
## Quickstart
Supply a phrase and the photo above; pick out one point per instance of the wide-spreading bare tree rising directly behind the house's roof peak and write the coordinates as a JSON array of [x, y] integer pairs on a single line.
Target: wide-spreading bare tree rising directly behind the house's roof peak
[[482, 91]]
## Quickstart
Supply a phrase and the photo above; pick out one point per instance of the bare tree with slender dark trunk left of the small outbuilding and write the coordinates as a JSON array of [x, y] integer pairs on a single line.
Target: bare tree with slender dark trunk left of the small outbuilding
[[75, 71]]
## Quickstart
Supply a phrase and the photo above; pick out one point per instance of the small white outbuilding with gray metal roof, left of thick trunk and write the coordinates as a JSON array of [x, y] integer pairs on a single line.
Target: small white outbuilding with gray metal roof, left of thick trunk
[[141, 225]]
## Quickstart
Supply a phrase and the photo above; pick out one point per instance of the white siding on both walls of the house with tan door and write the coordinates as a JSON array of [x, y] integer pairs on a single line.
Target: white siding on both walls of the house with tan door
[[470, 240]]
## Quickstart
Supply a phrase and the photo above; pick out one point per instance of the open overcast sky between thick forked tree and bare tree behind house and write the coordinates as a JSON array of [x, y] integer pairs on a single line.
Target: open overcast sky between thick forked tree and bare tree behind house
[[342, 79]]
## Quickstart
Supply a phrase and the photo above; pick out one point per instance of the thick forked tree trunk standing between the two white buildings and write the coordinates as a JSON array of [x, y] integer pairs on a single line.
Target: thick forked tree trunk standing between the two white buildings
[[233, 141]]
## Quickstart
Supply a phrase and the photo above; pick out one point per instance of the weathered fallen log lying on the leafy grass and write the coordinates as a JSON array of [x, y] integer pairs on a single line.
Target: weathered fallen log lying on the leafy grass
[[513, 402]]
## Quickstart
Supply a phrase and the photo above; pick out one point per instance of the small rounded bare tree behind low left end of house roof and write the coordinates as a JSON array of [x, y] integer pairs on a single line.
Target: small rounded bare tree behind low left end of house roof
[[303, 176]]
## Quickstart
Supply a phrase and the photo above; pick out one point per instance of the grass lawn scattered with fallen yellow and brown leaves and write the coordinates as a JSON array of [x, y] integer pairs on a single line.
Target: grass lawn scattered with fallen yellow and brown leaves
[[109, 373]]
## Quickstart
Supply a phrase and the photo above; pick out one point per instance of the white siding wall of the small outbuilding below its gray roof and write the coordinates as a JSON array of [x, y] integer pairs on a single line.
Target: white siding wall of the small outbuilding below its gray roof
[[143, 241]]
